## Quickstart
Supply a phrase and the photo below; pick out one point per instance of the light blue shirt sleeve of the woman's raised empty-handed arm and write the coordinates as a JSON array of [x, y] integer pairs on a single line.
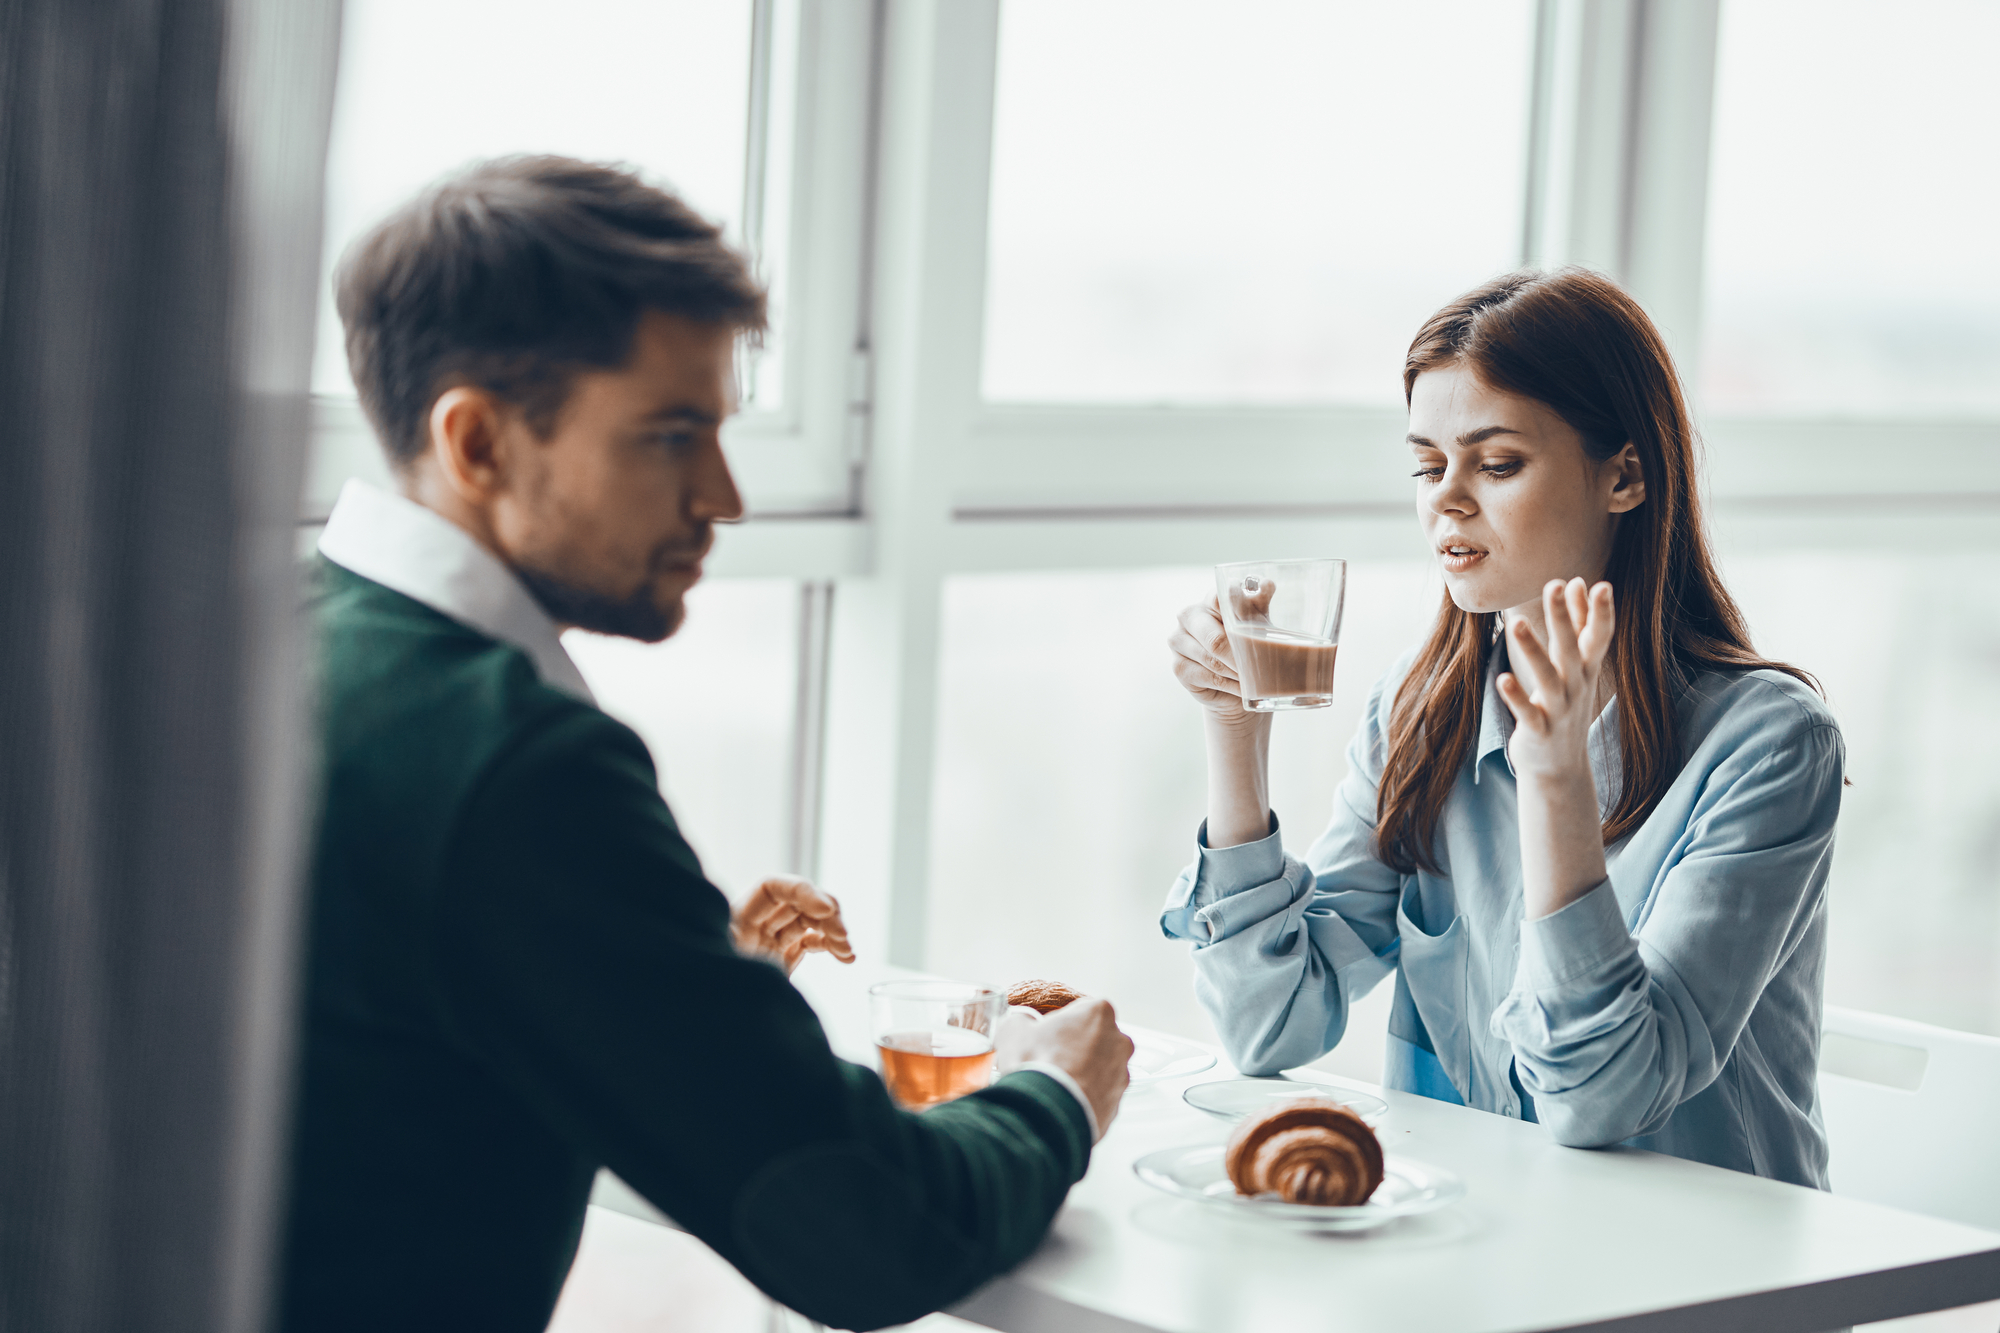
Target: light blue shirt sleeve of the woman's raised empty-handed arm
[[1613, 1030]]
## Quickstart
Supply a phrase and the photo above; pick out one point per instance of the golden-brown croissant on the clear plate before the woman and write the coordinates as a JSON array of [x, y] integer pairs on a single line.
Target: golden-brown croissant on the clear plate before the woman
[[1307, 1152]]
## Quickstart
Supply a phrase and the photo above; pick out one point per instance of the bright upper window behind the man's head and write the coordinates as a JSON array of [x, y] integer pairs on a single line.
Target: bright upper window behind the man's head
[[755, 111]]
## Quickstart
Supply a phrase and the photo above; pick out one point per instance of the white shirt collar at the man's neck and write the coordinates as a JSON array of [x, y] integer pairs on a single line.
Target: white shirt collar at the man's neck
[[431, 559]]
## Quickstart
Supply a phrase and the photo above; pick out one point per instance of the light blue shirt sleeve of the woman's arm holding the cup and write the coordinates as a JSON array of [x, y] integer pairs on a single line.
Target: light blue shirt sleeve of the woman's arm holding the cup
[[1283, 946]]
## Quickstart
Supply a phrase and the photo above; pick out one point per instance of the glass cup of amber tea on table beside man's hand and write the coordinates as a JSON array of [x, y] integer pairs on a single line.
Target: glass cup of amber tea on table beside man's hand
[[935, 1040]]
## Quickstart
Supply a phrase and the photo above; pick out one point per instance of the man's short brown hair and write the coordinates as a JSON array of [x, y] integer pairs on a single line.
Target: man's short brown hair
[[515, 275]]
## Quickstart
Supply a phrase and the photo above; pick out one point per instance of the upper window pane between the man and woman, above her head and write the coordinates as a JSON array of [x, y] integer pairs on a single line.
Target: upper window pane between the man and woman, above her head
[[1205, 203]]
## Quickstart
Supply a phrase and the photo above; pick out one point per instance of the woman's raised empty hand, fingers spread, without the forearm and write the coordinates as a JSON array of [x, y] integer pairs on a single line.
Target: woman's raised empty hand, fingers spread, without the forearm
[[1553, 690]]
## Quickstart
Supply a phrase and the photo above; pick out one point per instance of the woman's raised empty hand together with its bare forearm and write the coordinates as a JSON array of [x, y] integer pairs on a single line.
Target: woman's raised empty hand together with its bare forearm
[[1555, 698]]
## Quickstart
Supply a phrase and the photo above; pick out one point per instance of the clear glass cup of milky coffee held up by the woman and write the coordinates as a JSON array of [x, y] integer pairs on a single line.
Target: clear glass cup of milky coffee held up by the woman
[[1285, 629]]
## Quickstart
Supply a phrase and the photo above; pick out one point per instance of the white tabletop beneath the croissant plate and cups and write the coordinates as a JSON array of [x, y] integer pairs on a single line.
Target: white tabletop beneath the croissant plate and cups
[[1547, 1238]]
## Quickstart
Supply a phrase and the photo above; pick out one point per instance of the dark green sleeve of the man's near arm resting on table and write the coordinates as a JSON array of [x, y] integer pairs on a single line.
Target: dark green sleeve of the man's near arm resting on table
[[589, 964]]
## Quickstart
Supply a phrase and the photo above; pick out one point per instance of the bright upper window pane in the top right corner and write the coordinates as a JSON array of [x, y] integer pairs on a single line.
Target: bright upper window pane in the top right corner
[[1851, 257]]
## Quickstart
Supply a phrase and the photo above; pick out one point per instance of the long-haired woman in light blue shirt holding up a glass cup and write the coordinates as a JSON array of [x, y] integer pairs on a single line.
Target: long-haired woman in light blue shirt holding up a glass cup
[[1593, 846]]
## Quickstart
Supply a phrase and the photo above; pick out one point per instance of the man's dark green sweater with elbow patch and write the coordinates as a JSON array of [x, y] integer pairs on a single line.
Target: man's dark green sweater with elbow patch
[[517, 974]]
